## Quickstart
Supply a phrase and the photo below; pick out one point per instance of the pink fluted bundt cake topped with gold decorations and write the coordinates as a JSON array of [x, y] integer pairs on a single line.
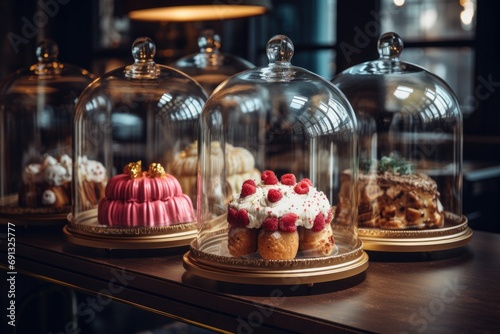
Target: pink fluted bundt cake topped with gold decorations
[[136, 199]]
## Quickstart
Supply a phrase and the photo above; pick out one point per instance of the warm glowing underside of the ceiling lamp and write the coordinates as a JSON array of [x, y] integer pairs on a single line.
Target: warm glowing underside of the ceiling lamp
[[196, 13]]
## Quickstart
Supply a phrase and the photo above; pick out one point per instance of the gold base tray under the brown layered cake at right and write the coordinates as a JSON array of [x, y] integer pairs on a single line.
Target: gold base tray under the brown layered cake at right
[[454, 234]]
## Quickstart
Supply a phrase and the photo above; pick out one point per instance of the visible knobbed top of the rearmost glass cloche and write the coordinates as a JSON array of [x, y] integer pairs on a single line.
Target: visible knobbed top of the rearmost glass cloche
[[210, 67]]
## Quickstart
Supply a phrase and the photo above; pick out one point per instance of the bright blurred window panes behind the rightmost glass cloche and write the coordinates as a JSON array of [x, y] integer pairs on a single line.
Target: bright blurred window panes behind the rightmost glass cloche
[[444, 20]]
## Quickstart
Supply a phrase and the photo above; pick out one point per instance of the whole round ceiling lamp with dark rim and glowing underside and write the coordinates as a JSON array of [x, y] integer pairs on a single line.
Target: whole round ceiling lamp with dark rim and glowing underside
[[186, 11]]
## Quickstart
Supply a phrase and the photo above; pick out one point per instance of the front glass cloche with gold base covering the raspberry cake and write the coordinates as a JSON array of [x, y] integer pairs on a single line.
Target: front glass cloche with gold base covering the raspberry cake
[[273, 143]]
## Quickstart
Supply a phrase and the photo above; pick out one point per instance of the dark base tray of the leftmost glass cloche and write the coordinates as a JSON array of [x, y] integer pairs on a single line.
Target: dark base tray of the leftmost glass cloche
[[11, 212]]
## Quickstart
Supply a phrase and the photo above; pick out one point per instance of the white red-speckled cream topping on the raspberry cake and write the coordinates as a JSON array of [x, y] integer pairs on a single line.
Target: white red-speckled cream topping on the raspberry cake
[[305, 206]]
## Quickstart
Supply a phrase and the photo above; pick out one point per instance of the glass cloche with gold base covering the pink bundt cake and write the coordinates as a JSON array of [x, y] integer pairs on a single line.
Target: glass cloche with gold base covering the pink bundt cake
[[132, 125]]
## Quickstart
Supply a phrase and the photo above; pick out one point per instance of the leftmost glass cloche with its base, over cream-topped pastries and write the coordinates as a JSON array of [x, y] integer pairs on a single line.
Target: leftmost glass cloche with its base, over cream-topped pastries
[[36, 122]]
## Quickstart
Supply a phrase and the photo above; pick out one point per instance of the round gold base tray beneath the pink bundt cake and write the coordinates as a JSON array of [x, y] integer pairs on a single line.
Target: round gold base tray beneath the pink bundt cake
[[85, 231]]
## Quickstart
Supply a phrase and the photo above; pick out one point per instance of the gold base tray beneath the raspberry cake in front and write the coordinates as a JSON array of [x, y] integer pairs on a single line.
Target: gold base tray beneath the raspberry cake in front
[[346, 263]]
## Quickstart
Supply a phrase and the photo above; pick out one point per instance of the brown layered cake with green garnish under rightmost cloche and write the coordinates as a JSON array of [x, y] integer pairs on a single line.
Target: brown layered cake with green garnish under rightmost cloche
[[392, 197]]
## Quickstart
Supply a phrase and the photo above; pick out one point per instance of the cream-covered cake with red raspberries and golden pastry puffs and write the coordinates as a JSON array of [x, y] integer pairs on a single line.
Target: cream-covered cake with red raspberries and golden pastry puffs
[[280, 219]]
